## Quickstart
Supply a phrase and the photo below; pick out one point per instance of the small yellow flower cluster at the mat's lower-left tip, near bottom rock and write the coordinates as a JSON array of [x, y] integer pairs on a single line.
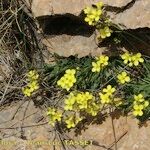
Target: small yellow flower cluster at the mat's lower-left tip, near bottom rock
[[54, 115]]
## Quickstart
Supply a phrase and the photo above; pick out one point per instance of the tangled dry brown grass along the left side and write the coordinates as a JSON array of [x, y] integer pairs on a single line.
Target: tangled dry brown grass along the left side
[[19, 48]]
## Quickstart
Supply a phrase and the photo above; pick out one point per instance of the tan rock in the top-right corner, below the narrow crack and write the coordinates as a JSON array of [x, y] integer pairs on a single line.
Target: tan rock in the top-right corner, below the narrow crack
[[138, 16]]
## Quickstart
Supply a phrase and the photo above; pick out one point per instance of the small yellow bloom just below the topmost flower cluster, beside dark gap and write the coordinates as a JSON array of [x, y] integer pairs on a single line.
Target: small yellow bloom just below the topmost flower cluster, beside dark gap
[[105, 32]]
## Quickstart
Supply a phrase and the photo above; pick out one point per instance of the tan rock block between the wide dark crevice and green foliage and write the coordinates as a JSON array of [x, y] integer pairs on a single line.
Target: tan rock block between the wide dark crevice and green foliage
[[67, 45]]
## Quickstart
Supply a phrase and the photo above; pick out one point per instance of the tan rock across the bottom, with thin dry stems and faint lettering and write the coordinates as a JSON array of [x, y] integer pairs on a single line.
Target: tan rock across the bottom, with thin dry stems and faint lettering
[[32, 132]]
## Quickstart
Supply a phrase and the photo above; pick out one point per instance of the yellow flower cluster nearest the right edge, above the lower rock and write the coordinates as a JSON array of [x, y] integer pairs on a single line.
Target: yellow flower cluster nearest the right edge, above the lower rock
[[139, 105]]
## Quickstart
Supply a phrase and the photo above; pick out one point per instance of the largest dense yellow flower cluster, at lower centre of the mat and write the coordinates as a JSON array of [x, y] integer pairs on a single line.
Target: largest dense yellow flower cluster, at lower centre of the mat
[[84, 101]]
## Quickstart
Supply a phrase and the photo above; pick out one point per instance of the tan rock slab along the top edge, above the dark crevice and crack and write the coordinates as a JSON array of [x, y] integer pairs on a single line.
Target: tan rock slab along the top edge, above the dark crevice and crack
[[53, 7]]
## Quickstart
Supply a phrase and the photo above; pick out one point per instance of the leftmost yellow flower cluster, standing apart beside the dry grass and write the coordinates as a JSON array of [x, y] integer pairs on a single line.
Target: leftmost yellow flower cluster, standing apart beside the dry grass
[[33, 85]]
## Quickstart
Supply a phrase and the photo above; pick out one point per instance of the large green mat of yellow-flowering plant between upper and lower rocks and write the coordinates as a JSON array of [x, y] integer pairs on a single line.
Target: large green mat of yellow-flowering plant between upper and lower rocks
[[97, 84]]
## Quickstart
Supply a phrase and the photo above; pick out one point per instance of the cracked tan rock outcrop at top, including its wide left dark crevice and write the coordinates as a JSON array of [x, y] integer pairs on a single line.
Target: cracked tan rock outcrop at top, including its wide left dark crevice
[[132, 14]]
